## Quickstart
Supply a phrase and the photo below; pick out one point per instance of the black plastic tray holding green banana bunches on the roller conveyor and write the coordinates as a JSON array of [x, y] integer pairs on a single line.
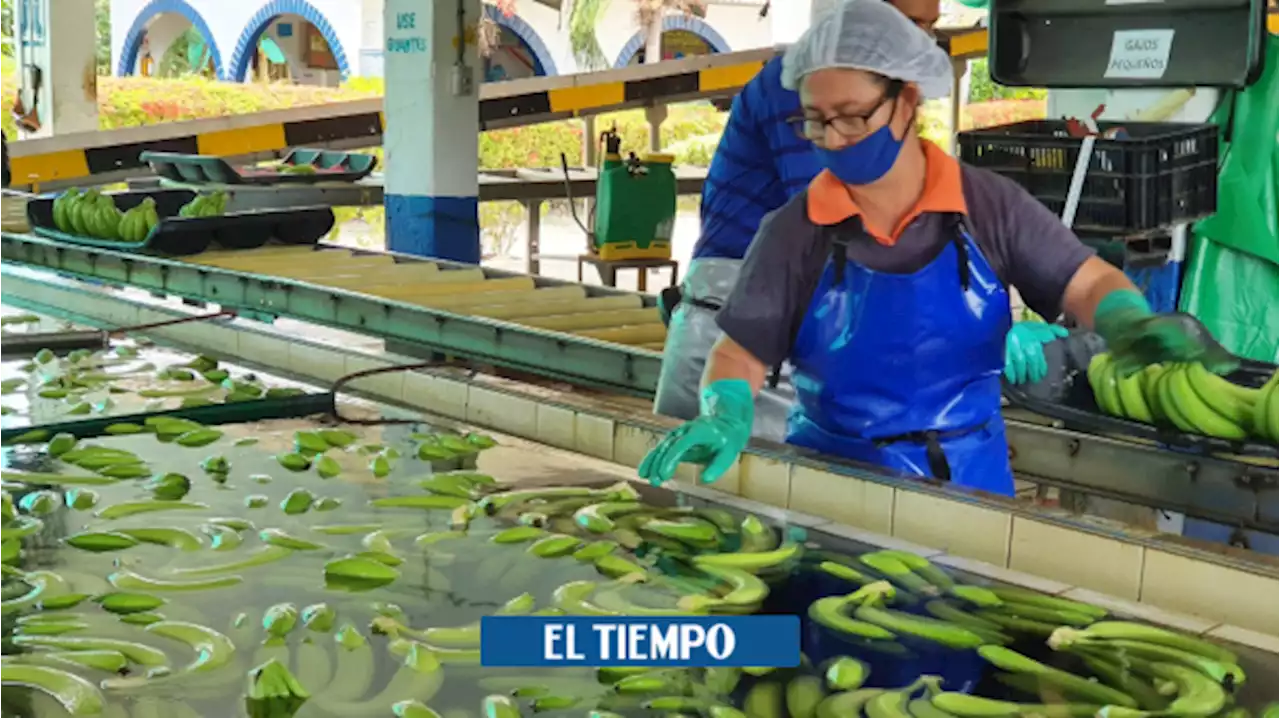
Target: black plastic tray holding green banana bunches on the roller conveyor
[[179, 236]]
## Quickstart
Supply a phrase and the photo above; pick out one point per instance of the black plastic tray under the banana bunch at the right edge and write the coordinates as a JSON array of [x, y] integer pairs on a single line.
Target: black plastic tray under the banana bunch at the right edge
[[1066, 395]]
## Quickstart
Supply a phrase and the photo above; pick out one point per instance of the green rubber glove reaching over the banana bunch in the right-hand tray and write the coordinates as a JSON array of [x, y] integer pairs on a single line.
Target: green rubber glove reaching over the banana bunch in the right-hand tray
[[1139, 337]]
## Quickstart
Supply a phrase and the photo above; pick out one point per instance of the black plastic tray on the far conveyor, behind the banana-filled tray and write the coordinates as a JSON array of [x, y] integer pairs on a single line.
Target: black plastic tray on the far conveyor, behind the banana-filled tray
[[204, 170]]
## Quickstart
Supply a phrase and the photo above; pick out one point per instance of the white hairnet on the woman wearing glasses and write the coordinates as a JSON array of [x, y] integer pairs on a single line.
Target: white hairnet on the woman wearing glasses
[[874, 36]]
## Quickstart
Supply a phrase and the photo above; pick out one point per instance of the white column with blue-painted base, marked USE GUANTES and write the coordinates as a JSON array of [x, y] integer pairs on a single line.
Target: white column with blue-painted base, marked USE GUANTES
[[433, 125]]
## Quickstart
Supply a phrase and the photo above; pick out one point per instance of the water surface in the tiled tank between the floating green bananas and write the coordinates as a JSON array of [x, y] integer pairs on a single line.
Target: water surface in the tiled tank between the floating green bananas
[[451, 583]]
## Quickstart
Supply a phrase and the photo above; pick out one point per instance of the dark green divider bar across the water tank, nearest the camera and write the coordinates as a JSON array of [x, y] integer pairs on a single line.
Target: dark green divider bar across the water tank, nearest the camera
[[211, 415]]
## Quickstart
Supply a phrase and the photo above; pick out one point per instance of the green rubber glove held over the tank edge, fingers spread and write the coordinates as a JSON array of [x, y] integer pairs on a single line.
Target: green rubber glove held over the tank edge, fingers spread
[[714, 440]]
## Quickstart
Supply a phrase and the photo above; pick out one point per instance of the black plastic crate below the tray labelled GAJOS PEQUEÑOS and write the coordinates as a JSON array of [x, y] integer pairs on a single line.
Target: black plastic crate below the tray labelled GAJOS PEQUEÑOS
[[1162, 175]]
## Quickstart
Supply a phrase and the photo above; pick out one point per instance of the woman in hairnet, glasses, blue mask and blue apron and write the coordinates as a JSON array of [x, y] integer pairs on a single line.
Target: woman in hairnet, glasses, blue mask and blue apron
[[885, 283]]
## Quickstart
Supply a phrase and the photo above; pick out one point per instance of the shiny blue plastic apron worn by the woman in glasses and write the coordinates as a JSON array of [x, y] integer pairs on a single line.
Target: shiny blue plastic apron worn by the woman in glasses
[[903, 371]]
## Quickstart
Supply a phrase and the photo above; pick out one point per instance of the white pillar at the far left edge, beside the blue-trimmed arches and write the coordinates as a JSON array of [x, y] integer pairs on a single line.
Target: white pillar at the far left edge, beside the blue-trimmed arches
[[60, 51]]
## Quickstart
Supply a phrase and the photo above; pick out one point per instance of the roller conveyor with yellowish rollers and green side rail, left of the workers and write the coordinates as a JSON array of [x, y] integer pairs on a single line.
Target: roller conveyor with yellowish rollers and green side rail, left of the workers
[[589, 336]]
